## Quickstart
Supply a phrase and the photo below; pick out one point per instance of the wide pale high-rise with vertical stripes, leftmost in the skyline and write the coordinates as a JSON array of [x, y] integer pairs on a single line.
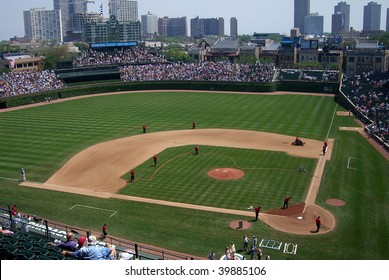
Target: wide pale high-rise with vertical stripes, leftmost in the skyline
[[41, 25]]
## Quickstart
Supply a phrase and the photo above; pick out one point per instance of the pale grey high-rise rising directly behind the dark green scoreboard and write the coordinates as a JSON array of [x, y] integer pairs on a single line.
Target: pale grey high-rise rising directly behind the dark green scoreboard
[[124, 10]]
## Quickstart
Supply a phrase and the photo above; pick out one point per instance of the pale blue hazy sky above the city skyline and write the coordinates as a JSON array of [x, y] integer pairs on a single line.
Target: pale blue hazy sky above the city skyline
[[253, 15]]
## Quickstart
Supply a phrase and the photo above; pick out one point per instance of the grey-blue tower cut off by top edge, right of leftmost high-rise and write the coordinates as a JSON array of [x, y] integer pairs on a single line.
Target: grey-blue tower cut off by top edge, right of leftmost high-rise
[[68, 8]]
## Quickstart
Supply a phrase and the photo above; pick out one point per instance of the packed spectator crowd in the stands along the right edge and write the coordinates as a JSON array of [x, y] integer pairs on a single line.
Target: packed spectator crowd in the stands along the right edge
[[369, 93]]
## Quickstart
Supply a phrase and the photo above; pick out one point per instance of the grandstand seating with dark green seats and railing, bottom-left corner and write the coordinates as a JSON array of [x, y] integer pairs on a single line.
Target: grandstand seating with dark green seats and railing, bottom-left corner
[[31, 236]]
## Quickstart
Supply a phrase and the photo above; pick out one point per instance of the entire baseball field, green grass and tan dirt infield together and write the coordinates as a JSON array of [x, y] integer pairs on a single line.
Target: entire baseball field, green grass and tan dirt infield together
[[89, 145]]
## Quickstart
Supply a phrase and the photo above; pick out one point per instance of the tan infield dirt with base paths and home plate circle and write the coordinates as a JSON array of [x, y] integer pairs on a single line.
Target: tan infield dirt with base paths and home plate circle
[[97, 171]]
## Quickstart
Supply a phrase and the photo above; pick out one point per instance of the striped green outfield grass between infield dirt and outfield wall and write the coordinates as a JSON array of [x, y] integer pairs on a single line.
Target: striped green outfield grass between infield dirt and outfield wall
[[42, 139]]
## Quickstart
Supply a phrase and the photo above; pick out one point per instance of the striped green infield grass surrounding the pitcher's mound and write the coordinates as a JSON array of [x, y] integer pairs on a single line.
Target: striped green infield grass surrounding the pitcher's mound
[[181, 176]]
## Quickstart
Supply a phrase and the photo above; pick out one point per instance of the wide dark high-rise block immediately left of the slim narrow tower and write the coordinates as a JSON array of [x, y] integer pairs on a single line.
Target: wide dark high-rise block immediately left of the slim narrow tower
[[200, 27]]
